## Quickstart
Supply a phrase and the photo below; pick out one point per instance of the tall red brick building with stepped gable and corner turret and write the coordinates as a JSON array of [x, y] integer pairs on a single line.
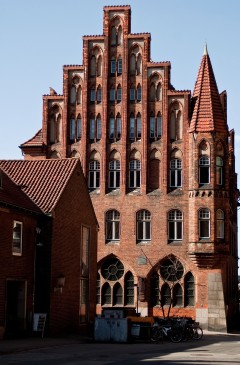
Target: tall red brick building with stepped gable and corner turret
[[160, 168]]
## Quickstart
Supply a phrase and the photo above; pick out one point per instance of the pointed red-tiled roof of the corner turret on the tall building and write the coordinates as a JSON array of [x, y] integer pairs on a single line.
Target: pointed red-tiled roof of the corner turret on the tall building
[[208, 113]]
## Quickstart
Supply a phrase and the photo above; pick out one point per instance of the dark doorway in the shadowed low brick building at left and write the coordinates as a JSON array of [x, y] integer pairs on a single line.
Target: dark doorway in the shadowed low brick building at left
[[16, 307]]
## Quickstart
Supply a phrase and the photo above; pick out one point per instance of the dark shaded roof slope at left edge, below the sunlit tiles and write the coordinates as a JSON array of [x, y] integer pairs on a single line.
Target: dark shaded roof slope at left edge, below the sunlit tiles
[[12, 195]]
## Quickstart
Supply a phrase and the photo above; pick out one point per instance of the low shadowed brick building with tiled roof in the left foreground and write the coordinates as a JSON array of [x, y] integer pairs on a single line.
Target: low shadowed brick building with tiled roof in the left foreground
[[48, 246]]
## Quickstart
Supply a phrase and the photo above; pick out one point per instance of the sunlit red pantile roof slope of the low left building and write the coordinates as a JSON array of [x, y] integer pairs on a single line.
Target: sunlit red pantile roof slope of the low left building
[[43, 181]]
